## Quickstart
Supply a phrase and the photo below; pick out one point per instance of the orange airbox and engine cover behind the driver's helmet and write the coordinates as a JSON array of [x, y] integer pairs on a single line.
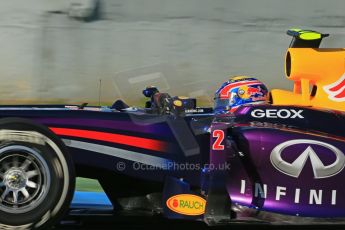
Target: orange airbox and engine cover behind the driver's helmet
[[318, 75]]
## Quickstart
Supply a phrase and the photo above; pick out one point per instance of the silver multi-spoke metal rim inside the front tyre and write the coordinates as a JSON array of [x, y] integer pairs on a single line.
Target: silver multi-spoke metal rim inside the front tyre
[[24, 179]]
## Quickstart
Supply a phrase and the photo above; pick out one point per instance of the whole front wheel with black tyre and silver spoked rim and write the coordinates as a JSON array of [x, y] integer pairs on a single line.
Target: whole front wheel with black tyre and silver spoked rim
[[37, 177]]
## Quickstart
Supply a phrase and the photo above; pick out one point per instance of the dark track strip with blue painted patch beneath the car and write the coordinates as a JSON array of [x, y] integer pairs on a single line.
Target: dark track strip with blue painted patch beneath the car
[[94, 211]]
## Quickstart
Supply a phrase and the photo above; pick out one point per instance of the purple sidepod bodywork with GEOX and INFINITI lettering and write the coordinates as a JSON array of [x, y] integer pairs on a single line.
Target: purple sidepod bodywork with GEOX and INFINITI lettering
[[286, 160]]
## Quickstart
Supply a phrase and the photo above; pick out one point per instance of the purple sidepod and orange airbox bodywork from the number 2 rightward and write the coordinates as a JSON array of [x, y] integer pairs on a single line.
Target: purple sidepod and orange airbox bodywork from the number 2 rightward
[[288, 157]]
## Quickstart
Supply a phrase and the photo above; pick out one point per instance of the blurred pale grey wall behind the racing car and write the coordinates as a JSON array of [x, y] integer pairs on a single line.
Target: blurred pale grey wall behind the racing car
[[64, 51]]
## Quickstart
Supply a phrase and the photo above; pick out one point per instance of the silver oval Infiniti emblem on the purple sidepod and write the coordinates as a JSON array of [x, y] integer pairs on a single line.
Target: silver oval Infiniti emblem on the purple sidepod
[[320, 170]]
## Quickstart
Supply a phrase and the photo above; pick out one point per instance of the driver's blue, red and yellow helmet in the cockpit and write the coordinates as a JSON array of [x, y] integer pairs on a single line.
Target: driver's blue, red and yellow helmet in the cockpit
[[238, 91]]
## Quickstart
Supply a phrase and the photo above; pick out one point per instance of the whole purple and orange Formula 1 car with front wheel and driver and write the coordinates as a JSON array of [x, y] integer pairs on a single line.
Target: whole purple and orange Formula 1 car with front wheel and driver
[[245, 160]]
